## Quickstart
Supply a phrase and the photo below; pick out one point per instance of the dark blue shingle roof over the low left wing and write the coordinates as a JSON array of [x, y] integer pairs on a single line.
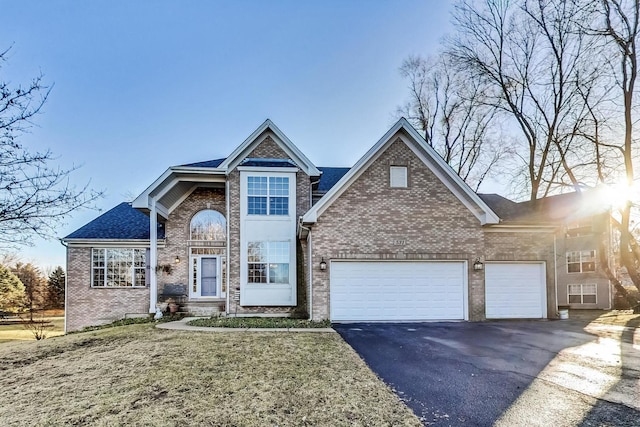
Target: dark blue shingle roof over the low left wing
[[121, 222]]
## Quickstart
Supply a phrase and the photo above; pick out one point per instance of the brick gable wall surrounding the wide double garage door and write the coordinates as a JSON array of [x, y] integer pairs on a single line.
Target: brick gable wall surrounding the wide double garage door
[[372, 221]]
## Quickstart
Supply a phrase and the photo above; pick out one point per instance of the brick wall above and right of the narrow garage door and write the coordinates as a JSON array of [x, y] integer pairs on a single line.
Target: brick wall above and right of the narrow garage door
[[523, 247]]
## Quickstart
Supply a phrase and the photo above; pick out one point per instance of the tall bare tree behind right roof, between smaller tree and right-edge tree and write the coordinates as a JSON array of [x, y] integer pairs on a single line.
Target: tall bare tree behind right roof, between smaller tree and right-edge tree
[[535, 58]]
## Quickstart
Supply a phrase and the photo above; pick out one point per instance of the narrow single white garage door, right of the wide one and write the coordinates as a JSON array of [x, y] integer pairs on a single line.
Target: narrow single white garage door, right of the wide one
[[515, 291]]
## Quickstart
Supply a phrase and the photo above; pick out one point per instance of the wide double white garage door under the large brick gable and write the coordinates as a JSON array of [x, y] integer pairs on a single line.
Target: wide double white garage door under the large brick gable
[[379, 291]]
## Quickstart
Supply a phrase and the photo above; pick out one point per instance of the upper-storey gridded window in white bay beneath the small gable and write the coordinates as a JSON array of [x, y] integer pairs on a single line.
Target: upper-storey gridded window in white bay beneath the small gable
[[268, 195]]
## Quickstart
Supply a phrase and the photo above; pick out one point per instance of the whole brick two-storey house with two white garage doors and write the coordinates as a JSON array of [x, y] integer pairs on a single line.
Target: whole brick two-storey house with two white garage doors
[[264, 232]]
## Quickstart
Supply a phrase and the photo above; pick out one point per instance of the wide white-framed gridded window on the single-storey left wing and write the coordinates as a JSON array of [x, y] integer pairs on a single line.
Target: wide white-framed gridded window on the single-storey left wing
[[118, 267]]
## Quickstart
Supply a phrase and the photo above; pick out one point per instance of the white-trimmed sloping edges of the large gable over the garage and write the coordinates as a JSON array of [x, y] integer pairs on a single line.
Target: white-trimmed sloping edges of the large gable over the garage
[[429, 157]]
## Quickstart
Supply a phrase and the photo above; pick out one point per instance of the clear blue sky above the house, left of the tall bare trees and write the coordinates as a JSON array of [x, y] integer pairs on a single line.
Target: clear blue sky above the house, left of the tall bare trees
[[143, 85]]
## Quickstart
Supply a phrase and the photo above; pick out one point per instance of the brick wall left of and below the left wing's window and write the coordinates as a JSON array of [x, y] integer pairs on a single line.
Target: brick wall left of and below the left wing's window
[[97, 306]]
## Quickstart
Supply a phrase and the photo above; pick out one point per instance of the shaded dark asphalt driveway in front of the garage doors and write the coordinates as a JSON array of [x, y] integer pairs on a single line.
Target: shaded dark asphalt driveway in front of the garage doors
[[472, 373]]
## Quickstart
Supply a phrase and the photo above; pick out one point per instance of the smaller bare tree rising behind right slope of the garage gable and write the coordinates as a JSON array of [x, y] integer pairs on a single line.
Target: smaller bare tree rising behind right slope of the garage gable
[[450, 109]]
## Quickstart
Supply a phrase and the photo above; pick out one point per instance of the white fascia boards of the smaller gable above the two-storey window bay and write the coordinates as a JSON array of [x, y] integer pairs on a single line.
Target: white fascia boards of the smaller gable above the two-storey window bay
[[287, 145]]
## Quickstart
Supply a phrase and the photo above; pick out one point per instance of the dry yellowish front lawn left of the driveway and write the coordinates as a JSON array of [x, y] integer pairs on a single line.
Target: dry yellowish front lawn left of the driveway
[[140, 375]]
